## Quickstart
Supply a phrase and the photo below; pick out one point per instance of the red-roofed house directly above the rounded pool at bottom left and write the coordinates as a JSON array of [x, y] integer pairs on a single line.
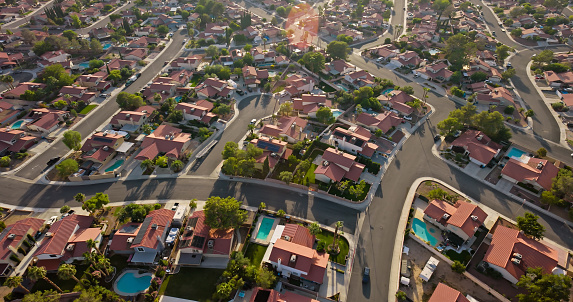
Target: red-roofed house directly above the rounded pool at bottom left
[[143, 240]]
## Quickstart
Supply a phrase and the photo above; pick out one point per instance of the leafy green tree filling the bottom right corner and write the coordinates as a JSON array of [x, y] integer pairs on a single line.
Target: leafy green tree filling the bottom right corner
[[543, 287]]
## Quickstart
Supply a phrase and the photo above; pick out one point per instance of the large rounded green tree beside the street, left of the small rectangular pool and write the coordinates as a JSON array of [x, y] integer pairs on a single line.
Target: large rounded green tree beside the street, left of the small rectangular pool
[[224, 213]]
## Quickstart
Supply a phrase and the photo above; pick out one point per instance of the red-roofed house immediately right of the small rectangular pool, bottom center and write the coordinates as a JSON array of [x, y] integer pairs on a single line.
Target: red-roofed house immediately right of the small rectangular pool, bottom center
[[292, 255]]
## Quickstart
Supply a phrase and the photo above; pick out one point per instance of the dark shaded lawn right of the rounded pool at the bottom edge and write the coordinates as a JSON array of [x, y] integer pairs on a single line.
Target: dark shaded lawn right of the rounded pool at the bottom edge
[[192, 283]]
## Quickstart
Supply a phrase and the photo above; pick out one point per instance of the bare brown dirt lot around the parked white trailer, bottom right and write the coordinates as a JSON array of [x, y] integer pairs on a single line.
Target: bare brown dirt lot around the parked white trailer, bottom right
[[420, 291]]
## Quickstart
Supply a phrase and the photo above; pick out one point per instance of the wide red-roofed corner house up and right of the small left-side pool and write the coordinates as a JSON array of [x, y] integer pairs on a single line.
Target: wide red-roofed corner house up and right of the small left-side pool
[[166, 140]]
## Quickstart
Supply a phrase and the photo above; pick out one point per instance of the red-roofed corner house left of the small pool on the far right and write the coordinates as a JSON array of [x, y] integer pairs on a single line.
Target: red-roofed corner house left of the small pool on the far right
[[478, 146]]
